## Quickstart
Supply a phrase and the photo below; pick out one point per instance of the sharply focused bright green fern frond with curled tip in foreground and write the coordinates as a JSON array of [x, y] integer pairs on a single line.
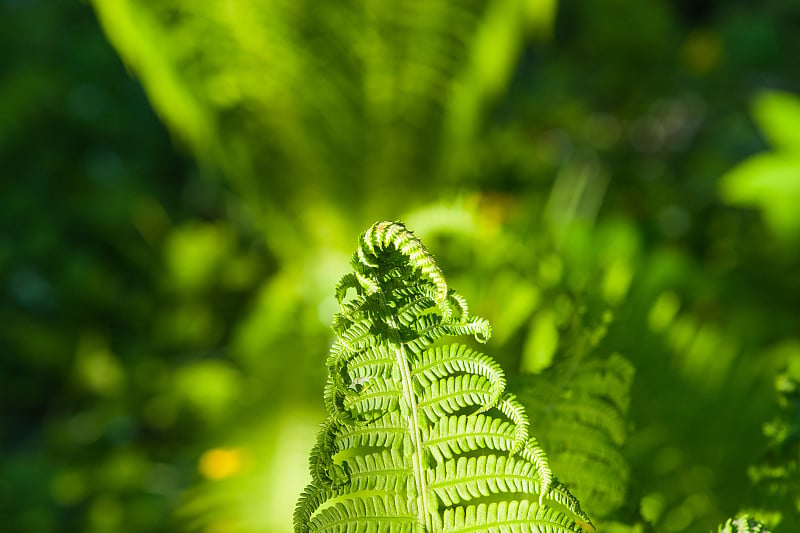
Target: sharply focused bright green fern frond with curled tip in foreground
[[421, 435]]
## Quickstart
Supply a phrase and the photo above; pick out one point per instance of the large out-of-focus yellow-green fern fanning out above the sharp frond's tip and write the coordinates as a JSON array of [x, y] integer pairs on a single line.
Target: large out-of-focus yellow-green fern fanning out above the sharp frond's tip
[[362, 93]]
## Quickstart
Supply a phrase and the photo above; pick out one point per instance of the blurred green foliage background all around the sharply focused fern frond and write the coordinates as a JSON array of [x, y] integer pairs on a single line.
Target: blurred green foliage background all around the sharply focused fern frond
[[620, 168]]
